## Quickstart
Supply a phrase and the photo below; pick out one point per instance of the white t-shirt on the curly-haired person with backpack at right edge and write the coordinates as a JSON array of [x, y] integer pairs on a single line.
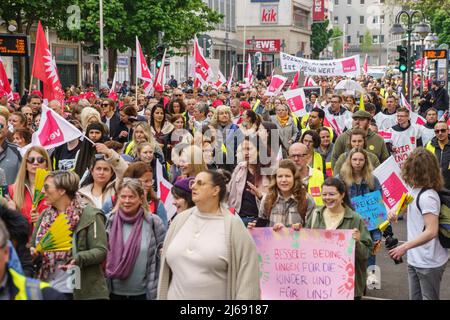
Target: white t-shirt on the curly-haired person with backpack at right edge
[[430, 254]]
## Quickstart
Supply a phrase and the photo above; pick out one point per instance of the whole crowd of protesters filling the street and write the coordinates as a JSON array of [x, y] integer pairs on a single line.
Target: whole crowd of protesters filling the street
[[237, 159]]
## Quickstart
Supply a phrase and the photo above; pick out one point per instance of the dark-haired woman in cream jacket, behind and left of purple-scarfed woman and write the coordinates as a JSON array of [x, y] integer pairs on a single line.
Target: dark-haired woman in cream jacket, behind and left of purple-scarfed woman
[[100, 184]]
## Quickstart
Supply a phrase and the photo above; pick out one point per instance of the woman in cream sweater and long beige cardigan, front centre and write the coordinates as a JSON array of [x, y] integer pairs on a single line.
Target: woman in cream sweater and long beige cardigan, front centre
[[208, 253]]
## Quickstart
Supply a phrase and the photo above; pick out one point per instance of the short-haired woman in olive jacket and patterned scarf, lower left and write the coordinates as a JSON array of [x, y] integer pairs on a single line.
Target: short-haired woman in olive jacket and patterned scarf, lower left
[[89, 246]]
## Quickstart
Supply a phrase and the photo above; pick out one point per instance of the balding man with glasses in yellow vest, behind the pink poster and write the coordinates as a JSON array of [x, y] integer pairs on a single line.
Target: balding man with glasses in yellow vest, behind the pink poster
[[312, 178]]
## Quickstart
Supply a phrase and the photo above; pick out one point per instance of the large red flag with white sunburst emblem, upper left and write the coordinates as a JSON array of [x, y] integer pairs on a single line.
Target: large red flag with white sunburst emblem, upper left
[[44, 68]]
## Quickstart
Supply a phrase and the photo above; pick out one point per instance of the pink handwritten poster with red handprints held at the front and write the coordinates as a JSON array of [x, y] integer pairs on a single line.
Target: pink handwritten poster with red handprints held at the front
[[309, 264]]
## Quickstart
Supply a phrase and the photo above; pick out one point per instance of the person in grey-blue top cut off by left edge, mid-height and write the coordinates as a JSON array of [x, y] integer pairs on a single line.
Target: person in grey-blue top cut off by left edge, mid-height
[[10, 157]]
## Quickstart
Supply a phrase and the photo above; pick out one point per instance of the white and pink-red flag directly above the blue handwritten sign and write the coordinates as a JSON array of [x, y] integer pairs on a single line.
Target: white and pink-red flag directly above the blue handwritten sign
[[392, 185]]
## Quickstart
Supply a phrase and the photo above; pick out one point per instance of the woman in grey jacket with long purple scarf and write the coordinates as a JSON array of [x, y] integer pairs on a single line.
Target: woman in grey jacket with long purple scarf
[[135, 240]]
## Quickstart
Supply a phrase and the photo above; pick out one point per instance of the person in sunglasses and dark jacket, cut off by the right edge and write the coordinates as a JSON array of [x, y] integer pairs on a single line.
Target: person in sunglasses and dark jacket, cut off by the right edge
[[440, 147]]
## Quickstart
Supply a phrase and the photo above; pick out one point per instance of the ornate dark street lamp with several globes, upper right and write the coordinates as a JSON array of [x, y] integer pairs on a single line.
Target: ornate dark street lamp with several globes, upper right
[[421, 28]]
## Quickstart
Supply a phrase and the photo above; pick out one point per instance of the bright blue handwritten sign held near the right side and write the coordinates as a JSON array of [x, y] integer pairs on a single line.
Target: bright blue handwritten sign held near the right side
[[371, 208]]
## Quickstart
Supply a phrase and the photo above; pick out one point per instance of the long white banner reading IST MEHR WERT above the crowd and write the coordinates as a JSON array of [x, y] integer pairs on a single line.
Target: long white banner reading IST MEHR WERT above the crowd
[[349, 66]]
